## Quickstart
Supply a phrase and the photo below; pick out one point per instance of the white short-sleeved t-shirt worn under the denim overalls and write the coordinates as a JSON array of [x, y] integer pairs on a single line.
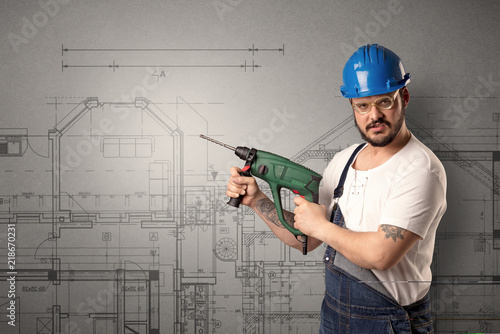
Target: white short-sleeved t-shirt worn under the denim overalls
[[409, 191]]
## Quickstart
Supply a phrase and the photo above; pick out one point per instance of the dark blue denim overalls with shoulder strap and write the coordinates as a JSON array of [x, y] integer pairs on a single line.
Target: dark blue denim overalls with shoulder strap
[[356, 302]]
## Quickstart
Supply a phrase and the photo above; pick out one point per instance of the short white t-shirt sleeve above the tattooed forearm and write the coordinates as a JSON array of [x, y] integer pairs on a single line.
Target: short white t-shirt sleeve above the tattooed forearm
[[415, 201]]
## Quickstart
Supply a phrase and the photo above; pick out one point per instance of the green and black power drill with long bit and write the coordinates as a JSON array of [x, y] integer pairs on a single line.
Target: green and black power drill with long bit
[[279, 173]]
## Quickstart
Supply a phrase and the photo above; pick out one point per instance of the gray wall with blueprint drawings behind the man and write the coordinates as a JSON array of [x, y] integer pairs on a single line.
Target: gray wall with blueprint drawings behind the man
[[119, 206]]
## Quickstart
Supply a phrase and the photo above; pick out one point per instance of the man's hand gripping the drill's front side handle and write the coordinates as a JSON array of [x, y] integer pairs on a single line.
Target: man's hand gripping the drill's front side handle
[[245, 186]]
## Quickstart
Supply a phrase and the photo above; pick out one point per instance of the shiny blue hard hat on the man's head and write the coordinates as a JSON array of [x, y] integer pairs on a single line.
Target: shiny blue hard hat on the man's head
[[373, 70]]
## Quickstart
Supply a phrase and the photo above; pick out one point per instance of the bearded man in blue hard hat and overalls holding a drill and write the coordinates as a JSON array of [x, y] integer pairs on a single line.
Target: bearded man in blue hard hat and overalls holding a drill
[[384, 200]]
